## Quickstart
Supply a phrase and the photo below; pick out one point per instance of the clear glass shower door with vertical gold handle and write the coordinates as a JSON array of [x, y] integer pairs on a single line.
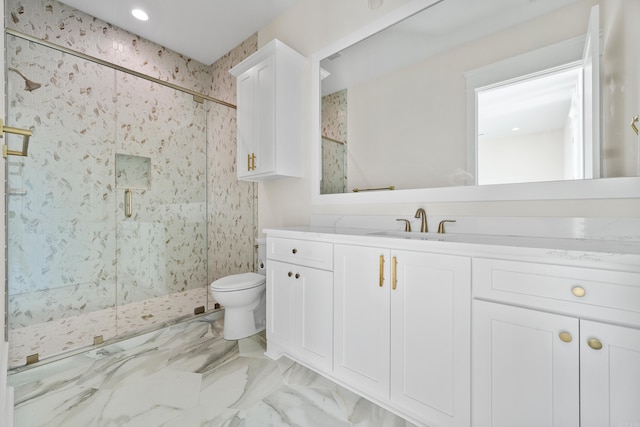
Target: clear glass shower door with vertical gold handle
[[162, 247]]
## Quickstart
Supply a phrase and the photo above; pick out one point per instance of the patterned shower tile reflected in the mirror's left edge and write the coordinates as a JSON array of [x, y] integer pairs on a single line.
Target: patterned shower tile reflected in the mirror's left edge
[[334, 126]]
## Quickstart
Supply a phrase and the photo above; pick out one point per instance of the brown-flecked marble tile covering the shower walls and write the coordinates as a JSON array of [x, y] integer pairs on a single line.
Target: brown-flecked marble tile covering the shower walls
[[105, 114]]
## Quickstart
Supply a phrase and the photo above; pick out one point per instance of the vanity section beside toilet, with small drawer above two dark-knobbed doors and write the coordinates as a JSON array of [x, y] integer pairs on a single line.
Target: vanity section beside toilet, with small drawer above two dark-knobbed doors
[[300, 301]]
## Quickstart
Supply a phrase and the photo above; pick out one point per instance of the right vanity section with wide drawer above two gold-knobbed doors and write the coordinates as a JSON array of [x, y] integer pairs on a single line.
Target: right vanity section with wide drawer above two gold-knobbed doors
[[555, 345]]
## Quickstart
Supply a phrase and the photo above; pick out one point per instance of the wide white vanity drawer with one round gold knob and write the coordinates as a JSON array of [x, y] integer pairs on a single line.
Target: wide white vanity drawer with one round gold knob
[[541, 284]]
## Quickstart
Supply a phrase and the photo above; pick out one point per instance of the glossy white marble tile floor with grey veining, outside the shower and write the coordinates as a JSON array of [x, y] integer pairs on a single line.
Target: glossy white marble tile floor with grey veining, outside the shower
[[186, 375]]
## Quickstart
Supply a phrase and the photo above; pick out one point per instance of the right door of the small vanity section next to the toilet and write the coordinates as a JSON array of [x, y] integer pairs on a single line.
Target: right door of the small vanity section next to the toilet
[[314, 319]]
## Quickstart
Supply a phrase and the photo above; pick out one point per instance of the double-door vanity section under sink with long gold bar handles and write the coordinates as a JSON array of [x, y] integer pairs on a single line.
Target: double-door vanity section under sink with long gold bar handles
[[402, 330]]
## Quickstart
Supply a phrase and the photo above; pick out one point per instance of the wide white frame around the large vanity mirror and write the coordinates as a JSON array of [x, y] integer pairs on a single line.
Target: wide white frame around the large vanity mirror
[[607, 188]]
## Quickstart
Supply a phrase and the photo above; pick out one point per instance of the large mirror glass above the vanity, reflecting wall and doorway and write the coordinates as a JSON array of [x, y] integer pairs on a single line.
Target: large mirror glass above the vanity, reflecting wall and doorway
[[404, 93]]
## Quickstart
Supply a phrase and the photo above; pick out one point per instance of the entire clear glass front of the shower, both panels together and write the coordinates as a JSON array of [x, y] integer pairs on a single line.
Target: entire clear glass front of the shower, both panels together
[[107, 216]]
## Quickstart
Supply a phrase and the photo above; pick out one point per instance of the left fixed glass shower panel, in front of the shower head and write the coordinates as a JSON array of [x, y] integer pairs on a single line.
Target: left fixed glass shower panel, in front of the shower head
[[61, 241]]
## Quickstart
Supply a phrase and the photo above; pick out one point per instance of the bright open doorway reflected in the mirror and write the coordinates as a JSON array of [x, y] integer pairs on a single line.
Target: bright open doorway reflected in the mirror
[[531, 130]]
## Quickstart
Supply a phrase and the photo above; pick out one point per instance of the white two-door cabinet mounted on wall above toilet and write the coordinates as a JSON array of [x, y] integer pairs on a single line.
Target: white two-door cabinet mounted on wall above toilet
[[269, 87]]
